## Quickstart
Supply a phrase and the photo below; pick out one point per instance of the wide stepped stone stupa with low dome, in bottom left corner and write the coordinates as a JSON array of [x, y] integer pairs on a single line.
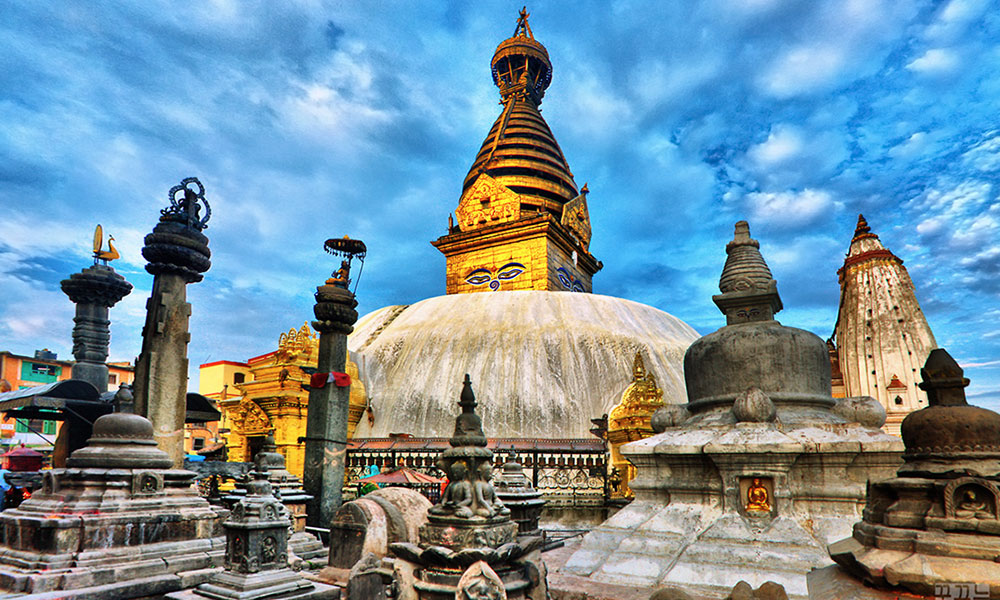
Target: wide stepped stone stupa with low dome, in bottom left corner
[[118, 522]]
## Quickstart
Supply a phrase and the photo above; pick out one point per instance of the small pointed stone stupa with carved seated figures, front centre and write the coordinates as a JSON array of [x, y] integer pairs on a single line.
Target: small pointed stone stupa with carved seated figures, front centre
[[469, 539]]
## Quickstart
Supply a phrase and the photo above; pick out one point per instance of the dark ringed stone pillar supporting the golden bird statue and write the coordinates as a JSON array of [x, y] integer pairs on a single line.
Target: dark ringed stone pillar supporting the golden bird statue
[[94, 290]]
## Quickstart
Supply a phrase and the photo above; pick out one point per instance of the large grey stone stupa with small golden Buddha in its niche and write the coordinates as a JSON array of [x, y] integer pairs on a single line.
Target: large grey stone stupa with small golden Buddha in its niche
[[758, 472]]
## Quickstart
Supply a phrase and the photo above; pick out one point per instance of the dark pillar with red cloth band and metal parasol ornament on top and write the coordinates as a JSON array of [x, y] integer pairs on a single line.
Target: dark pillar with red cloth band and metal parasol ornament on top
[[326, 423]]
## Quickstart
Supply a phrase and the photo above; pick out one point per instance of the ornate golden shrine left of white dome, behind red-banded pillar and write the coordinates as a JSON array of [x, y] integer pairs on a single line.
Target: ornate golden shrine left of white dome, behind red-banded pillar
[[274, 397]]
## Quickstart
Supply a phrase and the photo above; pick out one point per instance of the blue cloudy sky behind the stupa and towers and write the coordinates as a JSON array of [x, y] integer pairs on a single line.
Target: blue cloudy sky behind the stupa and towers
[[311, 120]]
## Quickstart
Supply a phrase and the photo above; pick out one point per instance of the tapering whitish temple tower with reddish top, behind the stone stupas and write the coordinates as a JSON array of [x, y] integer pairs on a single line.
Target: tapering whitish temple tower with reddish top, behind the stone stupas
[[882, 337]]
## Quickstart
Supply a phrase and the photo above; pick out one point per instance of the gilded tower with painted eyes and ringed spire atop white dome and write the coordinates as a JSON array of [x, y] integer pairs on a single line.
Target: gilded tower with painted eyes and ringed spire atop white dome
[[521, 223]]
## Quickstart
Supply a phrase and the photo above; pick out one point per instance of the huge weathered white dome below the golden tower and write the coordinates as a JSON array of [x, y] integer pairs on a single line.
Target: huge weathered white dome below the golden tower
[[542, 363]]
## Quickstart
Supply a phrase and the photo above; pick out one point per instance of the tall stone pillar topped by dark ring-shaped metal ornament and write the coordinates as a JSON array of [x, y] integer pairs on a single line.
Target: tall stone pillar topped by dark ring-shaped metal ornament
[[178, 254]]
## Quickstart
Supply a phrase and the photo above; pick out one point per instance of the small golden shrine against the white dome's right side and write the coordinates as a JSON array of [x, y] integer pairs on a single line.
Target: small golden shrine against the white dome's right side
[[629, 420]]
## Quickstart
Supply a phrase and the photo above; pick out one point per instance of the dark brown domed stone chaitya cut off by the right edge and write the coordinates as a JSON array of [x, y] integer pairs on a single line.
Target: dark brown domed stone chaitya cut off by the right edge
[[936, 523]]
